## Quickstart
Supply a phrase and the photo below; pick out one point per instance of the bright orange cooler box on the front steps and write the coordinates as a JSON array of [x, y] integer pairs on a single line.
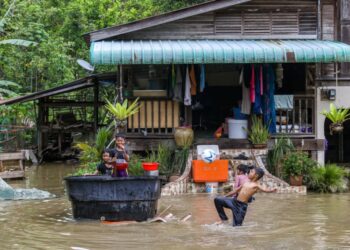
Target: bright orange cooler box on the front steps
[[216, 171]]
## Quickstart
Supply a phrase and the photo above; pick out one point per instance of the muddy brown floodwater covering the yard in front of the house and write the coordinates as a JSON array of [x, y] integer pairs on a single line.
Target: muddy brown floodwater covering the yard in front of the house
[[273, 221]]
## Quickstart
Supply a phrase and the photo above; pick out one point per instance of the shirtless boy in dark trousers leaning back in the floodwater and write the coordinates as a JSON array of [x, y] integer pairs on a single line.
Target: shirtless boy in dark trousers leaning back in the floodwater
[[239, 205]]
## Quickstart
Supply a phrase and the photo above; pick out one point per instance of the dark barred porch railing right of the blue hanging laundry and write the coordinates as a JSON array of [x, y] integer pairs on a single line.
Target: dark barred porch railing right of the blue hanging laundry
[[300, 120]]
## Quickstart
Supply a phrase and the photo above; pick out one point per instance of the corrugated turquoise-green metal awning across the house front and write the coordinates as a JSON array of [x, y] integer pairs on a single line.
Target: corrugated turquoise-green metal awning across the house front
[[218, 51]]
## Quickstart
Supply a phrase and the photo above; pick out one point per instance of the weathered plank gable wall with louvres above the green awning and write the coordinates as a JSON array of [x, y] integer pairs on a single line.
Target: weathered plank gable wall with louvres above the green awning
[[258, 19]]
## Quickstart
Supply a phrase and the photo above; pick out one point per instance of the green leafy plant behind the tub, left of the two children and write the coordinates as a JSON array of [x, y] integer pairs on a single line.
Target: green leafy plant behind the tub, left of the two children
[[93, 153]]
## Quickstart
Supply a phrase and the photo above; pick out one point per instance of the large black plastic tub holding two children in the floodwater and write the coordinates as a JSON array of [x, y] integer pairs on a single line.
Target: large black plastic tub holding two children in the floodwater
[[113, 198]]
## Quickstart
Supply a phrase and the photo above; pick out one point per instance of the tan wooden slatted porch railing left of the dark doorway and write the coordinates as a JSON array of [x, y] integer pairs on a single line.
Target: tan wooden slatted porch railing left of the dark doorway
[[156, 117]]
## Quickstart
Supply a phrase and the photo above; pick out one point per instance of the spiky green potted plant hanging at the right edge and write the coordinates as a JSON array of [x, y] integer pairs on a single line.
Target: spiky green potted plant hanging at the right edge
[[337, 116]]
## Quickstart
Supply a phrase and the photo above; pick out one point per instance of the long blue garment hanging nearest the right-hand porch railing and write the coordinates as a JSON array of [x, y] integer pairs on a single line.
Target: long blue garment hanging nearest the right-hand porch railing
[[269, 109]]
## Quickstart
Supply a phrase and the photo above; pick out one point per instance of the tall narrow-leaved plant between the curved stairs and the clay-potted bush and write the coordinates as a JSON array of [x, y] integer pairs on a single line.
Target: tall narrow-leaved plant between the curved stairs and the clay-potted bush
[[276, 155]]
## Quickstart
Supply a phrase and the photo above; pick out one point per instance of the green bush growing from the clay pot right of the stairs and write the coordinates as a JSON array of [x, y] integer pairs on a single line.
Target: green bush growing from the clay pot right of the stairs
[[297, 164]]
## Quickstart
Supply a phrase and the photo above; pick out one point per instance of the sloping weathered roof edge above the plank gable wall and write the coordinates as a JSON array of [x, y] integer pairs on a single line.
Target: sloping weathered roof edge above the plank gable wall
[[159, 19]]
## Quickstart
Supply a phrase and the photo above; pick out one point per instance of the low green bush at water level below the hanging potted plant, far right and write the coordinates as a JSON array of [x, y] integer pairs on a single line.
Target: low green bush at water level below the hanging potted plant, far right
[[328, 178]]
